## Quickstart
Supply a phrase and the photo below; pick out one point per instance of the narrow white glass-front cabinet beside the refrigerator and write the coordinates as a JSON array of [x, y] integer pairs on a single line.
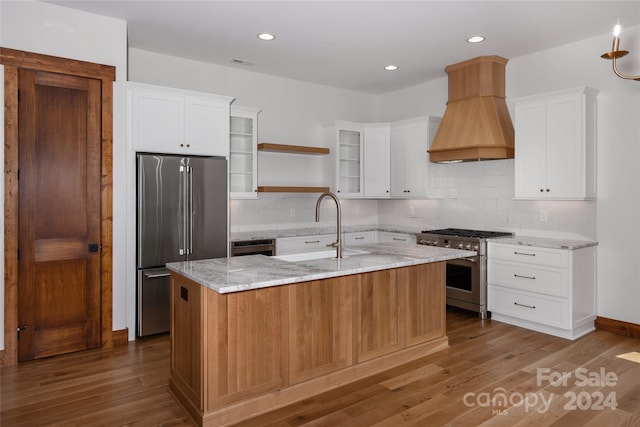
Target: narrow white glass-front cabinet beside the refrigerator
[[243, 155]]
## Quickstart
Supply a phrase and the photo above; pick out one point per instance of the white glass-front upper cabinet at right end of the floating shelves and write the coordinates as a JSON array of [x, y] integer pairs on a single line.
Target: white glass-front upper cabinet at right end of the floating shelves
[[347, 137]]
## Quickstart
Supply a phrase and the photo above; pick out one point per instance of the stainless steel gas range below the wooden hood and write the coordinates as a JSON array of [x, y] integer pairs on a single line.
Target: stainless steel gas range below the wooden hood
[[466, 277]]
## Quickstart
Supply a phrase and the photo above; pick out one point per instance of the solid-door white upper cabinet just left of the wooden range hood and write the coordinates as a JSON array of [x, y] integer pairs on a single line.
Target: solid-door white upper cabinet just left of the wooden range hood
[[410, 140]]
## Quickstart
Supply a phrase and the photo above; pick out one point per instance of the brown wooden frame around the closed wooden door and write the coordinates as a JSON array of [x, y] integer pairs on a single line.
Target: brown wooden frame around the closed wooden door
[[13, 60]]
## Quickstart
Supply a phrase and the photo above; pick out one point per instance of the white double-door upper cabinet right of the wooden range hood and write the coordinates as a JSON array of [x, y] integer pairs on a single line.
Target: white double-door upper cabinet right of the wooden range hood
[[556, 145]]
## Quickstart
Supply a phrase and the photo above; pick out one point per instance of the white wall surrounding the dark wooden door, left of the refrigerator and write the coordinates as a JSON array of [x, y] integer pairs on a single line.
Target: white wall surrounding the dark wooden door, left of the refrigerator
[[87, 37]]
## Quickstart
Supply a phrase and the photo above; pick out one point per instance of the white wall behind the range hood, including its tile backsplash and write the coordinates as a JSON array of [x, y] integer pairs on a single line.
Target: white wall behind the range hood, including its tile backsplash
[[484, 190]]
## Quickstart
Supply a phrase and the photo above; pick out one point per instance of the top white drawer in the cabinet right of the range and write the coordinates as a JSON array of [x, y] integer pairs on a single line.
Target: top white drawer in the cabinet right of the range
[[528, 254]]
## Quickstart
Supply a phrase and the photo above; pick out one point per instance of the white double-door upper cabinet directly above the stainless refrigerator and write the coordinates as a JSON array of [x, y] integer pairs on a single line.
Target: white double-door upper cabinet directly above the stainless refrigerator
[[167, 120]]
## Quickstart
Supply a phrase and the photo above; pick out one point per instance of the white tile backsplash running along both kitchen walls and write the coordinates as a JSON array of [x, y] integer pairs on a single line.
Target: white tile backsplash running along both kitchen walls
[[476, 195]]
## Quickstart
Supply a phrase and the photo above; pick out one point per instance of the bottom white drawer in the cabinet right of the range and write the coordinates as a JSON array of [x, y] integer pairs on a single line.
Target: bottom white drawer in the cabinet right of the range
[[527, 306]]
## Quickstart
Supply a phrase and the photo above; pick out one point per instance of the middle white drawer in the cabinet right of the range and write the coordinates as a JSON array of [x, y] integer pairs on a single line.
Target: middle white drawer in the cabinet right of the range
[[526, 277]]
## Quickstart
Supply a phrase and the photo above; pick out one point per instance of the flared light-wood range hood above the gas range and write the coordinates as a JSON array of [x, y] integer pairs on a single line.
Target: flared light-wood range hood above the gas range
[[476, 124]]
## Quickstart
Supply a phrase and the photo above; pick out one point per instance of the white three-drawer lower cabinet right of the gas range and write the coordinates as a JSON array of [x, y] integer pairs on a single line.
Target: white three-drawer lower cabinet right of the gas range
[[544, 289]]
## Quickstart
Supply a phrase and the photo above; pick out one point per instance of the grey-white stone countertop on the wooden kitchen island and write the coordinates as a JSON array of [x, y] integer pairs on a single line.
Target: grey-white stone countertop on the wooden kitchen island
[[235, 274]]
